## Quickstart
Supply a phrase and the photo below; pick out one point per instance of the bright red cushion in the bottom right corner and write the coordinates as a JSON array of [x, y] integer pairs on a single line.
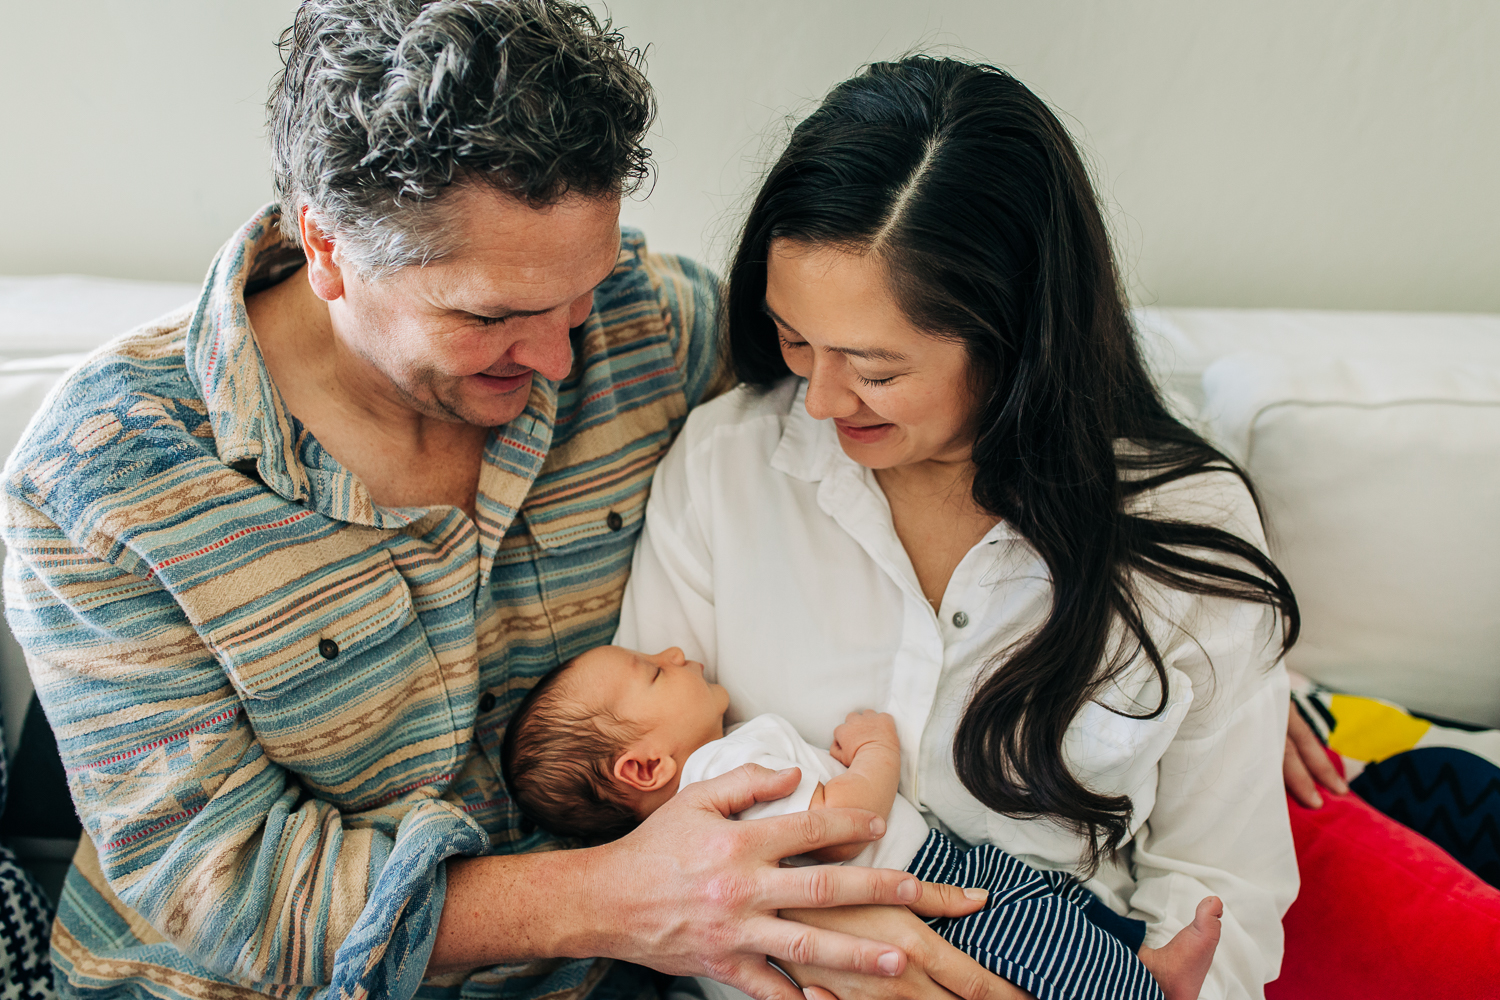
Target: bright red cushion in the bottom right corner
[[1384, 912]]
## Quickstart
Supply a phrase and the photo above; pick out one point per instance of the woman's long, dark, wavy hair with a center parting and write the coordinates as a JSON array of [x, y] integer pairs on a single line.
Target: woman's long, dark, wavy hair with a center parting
[[974, 199]]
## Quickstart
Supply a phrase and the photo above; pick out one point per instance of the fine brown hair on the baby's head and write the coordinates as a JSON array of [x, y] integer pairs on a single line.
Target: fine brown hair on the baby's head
[[559, 756]]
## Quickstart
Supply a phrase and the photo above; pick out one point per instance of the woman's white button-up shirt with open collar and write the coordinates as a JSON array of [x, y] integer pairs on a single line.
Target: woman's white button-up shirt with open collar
[[772, 557]]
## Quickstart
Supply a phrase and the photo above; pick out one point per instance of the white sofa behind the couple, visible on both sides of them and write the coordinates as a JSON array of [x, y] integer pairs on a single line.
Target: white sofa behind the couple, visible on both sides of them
[[1375, 440]]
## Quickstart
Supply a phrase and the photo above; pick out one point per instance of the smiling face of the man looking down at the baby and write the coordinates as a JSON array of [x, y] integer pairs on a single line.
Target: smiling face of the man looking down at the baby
[[461, 340]]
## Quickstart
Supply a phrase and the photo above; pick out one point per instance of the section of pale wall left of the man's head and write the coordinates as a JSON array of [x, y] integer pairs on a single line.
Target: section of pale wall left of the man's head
[[133, 131]]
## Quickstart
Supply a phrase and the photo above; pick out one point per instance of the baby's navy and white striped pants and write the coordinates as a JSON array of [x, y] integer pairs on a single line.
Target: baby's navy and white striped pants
[[1034, 930]]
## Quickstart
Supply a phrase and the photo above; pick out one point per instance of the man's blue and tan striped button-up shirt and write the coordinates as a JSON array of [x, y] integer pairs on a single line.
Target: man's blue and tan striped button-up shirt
[[281, 705]]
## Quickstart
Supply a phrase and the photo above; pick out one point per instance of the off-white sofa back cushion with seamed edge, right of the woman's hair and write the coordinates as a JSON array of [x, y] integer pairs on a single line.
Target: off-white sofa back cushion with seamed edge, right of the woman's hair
[[1381, 482]]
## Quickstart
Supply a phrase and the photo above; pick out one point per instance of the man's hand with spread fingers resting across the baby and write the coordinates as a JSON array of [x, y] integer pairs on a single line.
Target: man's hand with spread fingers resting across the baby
[[694, 893]]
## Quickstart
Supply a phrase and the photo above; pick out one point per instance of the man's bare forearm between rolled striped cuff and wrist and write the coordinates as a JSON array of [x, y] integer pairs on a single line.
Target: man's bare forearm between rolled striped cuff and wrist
[[518, 908]]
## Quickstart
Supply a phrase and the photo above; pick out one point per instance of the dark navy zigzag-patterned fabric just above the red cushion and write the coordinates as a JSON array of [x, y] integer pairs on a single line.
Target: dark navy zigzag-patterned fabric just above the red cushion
[[1448, 795]]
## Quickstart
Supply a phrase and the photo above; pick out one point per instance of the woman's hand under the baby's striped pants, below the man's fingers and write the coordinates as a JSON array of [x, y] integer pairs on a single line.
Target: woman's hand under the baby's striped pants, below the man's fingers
[[935, 969]]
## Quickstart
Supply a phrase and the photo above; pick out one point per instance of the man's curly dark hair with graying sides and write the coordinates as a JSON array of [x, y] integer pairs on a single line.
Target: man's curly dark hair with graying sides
[[386, 104]]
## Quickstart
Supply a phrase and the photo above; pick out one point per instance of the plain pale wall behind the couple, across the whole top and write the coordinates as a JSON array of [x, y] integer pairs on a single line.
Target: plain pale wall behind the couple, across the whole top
[[1336, 154]]
